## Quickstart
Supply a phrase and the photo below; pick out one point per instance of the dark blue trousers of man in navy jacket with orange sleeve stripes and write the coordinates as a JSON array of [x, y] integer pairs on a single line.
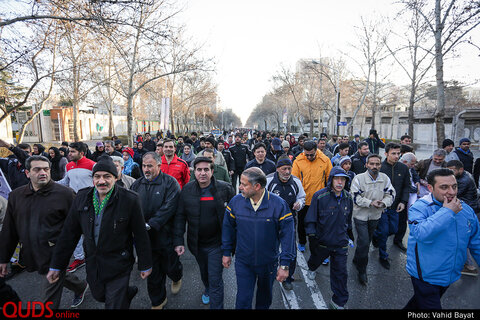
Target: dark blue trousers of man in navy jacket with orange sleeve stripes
[[247, 277]]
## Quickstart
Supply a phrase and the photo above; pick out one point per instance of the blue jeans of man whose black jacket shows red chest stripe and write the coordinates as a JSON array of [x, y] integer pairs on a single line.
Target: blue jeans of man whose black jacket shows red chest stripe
[[209, 261]]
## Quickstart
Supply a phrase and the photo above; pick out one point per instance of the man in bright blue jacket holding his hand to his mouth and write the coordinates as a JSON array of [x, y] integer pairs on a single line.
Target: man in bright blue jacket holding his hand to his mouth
[[441, 229]]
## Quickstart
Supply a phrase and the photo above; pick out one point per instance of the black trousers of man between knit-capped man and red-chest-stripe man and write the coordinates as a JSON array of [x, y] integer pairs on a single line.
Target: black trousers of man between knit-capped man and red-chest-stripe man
[[165, 263]]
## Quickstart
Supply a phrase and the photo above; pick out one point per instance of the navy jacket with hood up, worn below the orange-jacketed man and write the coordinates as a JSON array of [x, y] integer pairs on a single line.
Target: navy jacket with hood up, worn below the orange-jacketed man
[[330, 217]]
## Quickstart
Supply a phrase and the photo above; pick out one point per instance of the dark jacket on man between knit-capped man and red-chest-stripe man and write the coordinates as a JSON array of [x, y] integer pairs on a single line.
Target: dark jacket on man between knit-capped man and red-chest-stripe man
[[159, 200]]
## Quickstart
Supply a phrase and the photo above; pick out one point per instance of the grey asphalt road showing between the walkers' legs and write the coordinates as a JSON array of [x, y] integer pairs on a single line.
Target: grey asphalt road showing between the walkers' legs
[[386, 289]]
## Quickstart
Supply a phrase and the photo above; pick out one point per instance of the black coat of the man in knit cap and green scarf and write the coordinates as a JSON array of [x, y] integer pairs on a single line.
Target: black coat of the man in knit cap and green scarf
[[122, 223]]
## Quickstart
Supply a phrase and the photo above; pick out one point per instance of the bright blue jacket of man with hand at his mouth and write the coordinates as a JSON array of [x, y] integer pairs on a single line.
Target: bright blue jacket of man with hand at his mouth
[[438, 241]]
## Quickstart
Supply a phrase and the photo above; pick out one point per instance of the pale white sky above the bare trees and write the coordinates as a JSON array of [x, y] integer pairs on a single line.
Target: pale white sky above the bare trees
[[252, 39]]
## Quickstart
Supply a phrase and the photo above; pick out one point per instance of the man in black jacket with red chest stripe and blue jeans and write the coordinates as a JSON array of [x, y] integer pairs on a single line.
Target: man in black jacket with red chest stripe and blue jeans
[[202, 205]]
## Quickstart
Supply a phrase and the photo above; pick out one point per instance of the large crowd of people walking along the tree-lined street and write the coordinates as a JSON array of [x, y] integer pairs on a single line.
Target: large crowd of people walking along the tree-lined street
[[243, 194]]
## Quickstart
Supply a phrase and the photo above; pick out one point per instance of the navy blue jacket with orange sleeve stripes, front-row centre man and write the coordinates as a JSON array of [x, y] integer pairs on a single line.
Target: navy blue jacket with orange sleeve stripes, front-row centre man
[[256, 235]]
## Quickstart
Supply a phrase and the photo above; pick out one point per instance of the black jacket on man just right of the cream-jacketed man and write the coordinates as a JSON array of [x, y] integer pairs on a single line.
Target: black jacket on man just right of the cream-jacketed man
[[399, 176]]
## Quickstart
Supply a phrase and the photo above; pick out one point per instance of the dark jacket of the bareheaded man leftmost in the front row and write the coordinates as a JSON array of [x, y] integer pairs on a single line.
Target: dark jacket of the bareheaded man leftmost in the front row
[[35, 220]]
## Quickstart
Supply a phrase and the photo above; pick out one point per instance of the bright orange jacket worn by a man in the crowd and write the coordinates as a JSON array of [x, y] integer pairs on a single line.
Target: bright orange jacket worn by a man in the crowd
[[313, 174]]
